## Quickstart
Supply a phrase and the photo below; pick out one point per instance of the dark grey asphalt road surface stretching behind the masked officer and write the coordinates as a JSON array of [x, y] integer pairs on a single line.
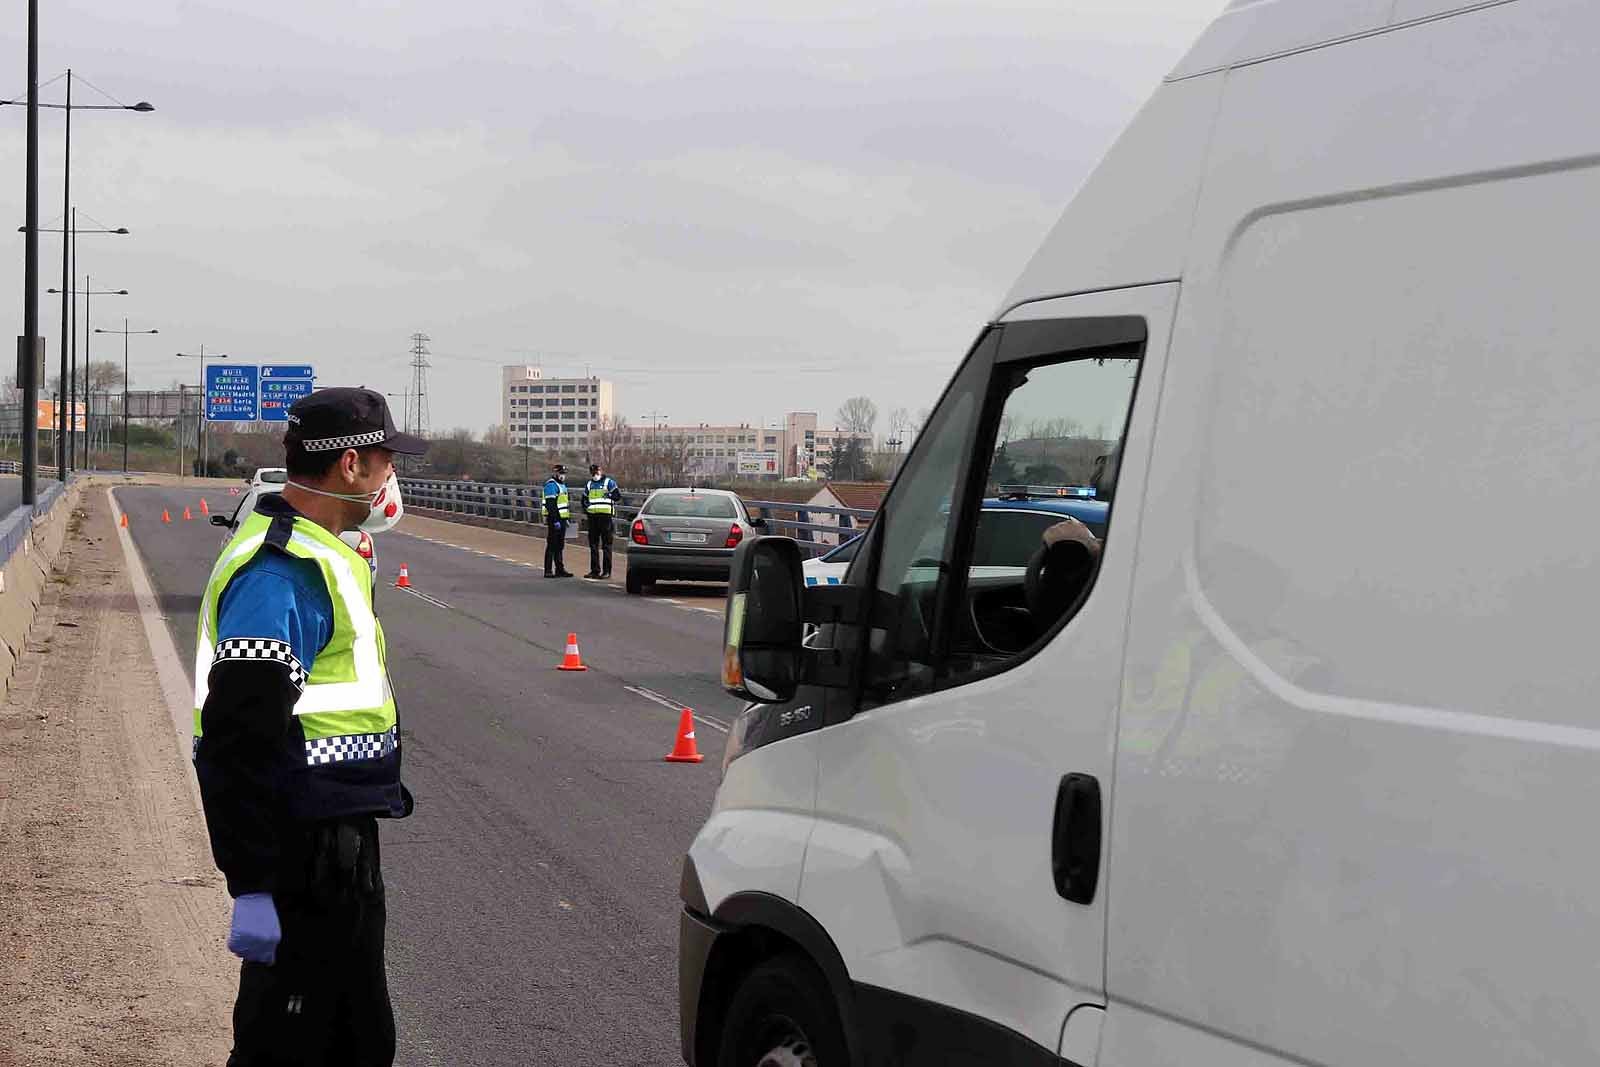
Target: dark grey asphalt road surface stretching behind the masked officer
[[534, 895]]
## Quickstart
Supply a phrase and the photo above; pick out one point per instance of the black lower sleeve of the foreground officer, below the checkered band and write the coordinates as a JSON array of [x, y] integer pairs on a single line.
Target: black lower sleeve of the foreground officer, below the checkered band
[[246, 724]]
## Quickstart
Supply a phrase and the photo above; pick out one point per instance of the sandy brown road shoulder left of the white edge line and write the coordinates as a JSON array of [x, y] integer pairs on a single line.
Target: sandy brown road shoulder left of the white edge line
[[113, 935]]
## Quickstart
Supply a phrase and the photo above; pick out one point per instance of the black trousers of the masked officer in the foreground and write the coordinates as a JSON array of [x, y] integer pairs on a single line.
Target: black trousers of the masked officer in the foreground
[[326, 1001]]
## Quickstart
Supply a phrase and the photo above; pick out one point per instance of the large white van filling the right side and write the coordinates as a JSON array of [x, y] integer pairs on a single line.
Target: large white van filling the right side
[[1295, 767]]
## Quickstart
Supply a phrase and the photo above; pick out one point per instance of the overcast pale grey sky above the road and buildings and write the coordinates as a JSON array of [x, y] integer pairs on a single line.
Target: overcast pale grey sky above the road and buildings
[[729, 210]]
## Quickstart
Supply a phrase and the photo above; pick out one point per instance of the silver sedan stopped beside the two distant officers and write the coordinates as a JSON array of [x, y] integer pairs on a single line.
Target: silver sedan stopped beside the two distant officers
[[687, 535]]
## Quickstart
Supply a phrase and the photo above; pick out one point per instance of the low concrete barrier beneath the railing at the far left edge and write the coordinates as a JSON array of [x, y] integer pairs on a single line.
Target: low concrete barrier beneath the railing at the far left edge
[[31, 540]]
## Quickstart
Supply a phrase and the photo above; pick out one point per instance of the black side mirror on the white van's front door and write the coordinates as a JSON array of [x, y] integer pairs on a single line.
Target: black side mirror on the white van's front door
[[762, 631]]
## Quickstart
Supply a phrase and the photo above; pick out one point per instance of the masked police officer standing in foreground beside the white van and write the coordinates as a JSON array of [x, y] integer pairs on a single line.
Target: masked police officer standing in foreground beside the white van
[[298, 743]]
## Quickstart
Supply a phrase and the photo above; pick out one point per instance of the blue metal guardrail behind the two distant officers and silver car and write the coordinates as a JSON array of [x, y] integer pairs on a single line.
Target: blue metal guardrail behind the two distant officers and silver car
[[526, 505]]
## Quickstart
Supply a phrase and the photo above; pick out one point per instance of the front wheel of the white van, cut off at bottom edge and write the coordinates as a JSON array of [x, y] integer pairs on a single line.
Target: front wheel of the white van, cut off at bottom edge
[[783, 1017]]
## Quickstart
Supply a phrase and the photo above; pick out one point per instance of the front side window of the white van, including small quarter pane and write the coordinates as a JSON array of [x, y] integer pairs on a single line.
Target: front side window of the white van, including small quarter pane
[[1007, 532]]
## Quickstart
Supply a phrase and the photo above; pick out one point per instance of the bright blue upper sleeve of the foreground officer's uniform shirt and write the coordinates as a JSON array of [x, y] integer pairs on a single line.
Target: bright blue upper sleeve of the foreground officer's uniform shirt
[[279, 597]]
